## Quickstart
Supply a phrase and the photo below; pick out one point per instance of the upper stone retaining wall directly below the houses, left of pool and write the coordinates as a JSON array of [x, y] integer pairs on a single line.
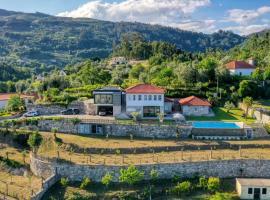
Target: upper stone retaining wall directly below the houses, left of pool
[[149, 131]]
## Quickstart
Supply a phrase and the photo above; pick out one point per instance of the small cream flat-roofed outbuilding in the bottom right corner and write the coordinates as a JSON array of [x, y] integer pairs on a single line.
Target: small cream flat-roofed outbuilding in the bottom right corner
[[253, 188]]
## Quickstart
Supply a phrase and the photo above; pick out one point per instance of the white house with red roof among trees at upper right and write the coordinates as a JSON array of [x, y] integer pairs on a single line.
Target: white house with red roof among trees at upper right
[[241, 68]]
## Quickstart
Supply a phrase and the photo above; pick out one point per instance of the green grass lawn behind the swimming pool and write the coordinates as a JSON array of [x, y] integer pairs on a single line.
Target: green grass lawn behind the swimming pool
[[221, 114]]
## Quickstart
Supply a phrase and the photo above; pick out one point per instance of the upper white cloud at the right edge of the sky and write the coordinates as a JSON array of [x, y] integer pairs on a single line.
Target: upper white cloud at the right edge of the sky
[[241, 16]]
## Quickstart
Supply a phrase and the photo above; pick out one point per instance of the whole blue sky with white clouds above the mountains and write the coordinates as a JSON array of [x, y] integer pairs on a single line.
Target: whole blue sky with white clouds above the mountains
[[208, 16]]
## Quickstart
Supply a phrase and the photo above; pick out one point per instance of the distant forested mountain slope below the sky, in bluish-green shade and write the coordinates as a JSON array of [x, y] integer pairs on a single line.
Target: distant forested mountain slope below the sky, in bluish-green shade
[[43, 42]]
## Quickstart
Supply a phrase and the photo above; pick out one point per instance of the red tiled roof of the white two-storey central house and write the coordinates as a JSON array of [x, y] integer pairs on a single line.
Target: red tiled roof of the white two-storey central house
[[145, 89]]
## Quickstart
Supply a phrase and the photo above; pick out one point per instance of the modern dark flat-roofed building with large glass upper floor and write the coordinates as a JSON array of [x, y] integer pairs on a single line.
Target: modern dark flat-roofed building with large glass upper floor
[[108, 100]]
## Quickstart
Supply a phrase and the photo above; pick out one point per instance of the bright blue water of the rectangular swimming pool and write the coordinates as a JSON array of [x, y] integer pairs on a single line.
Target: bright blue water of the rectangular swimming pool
[[215, 125]]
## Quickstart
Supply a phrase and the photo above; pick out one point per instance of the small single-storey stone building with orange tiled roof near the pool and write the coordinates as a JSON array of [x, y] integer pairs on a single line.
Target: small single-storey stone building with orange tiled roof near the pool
[[194, 106]]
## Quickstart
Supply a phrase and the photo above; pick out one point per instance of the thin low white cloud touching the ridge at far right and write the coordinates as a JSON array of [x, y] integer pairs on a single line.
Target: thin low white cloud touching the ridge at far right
[[246, 30]]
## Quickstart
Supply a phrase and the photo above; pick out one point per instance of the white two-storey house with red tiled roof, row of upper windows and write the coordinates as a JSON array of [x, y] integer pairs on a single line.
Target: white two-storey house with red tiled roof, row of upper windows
[[146, 99]]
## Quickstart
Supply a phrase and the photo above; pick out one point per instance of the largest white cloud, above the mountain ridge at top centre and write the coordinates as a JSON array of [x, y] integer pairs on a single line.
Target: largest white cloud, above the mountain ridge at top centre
[[164, 12]]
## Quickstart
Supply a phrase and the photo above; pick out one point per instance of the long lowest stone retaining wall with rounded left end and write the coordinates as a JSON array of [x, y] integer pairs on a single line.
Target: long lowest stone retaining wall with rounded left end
[[217, 168]]
